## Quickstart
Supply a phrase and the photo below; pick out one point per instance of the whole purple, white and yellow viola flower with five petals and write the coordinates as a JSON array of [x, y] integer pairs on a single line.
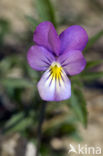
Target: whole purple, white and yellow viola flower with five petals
[[58, 56]]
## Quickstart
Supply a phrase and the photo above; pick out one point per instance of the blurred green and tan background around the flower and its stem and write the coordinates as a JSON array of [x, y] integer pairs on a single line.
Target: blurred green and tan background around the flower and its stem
[[78, 120]]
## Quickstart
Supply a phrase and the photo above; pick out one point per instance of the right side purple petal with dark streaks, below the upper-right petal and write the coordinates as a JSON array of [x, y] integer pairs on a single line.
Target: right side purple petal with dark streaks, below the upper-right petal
[[72, 61]]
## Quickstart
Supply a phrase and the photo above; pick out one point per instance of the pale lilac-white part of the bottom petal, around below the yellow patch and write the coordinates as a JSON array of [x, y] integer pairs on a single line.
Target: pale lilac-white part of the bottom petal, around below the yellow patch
[[51, 89]]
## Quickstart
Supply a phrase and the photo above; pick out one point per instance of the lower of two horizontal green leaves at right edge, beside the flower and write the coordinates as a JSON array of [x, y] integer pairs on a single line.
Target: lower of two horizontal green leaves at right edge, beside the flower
[[88, 76]]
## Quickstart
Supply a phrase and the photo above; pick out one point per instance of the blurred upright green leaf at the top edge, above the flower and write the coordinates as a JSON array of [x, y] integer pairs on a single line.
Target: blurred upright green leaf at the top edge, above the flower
[[45, 11]]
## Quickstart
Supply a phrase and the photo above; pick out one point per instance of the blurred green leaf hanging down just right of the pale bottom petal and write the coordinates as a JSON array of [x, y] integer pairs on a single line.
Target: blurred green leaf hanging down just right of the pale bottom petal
[[78, 105]]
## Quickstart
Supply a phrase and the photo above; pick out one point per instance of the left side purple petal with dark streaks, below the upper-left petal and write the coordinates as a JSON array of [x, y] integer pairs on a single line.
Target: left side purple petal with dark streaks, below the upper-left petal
[[39, 58]]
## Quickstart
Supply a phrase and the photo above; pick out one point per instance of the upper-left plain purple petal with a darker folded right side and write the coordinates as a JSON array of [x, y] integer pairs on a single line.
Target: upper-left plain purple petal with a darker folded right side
[[46, 35]]
